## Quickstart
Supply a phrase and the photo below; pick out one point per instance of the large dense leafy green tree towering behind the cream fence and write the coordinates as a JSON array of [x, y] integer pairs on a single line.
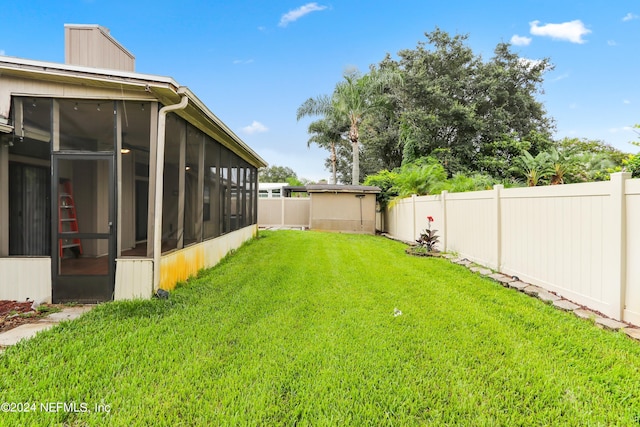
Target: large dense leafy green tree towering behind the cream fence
[[469, 113]]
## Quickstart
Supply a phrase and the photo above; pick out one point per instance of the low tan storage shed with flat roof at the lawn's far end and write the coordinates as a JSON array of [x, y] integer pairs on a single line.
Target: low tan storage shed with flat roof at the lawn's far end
[[343, 208]]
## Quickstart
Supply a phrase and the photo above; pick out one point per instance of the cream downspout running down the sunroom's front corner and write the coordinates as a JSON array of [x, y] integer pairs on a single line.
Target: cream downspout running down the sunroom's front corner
[[157, 223]]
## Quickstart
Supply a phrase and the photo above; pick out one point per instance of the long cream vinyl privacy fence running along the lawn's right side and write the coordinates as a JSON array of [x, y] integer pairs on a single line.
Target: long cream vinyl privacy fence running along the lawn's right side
[[580, 241]]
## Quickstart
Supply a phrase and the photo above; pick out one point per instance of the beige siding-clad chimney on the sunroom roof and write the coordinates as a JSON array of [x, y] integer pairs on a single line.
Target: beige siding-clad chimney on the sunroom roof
[[93, 46]]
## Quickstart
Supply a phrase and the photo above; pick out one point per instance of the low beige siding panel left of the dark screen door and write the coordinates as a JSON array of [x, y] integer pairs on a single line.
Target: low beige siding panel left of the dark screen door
[[24, 278]]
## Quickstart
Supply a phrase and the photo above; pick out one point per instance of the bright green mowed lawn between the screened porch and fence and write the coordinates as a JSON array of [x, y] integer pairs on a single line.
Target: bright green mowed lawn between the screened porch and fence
[[298, 328]]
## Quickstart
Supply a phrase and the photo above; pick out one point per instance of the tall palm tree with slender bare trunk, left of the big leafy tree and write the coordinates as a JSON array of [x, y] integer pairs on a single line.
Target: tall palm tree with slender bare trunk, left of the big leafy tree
[[354, 98]]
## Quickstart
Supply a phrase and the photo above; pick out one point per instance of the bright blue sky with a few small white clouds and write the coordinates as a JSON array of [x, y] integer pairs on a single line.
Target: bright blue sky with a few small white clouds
[[254, 62]]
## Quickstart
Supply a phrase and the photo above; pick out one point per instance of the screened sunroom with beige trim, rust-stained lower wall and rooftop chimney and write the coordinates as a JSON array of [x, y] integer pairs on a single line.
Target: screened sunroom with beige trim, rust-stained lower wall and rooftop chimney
[[113, 184]]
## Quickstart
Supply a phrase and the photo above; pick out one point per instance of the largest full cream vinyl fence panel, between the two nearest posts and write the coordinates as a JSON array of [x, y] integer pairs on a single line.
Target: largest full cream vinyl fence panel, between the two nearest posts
[[556, 237]]
